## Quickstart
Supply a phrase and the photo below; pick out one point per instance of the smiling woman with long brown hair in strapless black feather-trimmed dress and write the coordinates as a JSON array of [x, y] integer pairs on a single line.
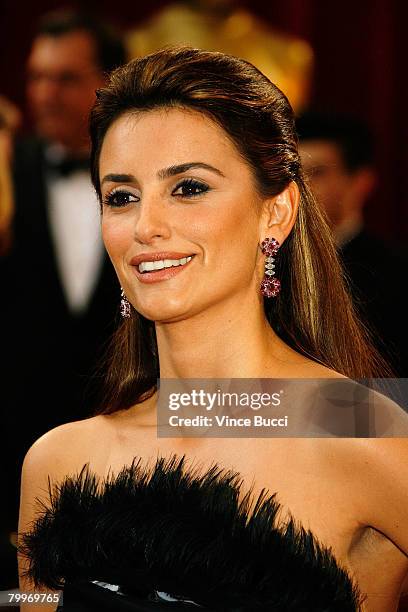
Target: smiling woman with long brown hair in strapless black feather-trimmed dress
[[196, 165]]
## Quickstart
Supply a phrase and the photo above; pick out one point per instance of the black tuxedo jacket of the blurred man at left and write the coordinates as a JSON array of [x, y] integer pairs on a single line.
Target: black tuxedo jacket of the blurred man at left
[[49, 353]]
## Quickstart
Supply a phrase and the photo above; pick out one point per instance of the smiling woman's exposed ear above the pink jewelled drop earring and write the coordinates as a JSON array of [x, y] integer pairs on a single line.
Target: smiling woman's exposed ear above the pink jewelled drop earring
[[279, 214]]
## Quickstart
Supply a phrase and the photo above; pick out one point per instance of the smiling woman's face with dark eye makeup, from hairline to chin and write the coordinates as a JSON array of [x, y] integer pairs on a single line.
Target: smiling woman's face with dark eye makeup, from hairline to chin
[[176, 193]]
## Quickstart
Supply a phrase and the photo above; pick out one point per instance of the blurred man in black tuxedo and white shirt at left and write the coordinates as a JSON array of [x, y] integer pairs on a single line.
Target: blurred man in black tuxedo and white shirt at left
[[60, 291]]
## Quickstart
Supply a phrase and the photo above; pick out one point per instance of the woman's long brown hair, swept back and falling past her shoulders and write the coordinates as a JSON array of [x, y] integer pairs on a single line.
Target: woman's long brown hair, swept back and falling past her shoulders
[[313, 313]]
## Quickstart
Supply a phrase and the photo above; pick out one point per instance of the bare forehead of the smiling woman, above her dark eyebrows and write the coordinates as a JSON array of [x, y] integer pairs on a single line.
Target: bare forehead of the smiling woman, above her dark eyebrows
[[164, 137]]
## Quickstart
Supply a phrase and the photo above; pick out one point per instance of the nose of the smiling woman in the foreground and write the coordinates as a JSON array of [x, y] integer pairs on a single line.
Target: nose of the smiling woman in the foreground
[[152, 220]]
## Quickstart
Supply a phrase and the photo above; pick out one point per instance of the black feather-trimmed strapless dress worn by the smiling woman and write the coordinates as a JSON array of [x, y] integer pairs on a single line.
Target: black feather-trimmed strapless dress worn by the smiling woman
[[168, 537]]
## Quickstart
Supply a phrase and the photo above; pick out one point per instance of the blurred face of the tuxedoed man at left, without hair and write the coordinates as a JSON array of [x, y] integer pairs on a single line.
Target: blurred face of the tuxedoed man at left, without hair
[[63, 75]]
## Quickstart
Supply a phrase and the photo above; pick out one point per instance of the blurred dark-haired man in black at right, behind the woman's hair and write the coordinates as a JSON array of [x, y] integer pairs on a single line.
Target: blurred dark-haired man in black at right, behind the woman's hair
[[338, 155]]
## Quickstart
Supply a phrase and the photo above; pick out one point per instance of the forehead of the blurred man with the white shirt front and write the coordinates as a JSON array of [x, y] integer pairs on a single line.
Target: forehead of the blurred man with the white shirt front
[[74, 50]]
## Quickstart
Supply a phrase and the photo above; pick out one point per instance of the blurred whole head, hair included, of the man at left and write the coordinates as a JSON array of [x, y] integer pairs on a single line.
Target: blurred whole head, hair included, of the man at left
[[66, 65]]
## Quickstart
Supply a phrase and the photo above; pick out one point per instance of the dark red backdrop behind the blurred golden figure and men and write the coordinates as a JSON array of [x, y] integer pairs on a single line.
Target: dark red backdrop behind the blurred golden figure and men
[[359, 68]]
